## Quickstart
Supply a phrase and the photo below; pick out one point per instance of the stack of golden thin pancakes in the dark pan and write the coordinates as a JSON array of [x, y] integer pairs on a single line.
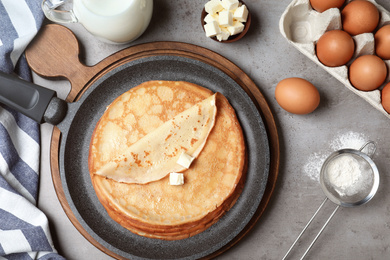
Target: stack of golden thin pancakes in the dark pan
[[148, 205]]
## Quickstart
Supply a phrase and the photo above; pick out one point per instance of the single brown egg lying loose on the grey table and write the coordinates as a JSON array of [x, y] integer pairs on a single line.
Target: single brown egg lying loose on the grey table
[[297, 95]]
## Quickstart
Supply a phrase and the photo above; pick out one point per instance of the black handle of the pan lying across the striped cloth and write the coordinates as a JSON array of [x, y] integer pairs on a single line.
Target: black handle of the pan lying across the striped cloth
[[36, 102]]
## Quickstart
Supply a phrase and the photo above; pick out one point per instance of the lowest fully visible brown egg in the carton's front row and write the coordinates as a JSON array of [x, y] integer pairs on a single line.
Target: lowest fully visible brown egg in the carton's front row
[[368, 72]]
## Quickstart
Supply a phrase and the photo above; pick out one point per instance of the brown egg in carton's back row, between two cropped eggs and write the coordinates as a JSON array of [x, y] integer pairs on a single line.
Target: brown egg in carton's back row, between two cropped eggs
[[359, 16]]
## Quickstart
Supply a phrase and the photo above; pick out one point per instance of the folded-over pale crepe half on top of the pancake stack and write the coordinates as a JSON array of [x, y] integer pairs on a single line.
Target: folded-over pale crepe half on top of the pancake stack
[[157, 154]]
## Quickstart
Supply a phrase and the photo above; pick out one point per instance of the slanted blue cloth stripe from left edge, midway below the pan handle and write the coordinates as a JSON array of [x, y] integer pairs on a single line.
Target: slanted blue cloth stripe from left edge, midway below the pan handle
[[22, 172]]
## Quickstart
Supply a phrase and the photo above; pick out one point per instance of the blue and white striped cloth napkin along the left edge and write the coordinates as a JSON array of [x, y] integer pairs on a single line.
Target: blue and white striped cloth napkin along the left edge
[[24, 229]]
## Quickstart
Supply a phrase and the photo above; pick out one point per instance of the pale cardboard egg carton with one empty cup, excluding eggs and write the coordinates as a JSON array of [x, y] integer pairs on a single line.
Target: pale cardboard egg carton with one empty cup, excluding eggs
[[302, 27]]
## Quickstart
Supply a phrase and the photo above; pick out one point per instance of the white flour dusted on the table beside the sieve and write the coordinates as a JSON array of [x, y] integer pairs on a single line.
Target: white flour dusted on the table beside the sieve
[[350, 140]]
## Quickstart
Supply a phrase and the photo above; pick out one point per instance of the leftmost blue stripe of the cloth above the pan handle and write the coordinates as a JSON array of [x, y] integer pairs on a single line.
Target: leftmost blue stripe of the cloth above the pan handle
[[7, 36]]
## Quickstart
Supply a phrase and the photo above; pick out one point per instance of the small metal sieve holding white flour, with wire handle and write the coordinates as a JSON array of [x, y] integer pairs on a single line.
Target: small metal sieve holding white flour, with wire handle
[[356, 191]]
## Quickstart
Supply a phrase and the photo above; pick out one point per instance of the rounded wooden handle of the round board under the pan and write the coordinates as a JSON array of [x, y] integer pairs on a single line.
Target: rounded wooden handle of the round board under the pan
[[54, 52]]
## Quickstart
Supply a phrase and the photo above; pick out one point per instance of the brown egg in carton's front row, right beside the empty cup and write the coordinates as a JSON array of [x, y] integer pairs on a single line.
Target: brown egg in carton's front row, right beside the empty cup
[[335, 48]]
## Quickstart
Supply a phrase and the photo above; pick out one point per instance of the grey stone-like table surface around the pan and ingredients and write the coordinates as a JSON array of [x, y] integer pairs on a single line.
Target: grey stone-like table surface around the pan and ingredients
[[342, 120]]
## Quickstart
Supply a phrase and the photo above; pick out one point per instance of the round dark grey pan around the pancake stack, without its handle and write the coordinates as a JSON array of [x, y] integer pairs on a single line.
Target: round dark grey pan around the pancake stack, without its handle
[[77, 130]]
